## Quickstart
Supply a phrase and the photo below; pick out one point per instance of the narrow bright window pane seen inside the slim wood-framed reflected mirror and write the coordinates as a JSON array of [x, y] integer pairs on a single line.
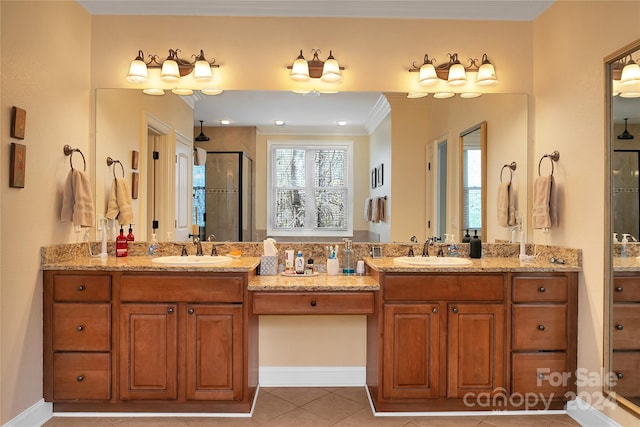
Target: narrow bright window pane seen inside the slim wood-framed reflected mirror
[[472, 188]]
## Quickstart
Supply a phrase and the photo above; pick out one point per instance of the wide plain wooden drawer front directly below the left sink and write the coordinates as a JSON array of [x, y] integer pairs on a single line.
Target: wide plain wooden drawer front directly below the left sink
[[181, 288]]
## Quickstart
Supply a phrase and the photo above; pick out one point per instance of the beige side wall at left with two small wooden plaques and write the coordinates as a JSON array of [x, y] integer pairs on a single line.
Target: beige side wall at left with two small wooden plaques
[[45, 70]]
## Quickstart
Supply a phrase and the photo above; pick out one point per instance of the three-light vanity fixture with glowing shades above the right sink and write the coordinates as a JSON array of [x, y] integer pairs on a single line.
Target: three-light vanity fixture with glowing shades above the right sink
[[454, 75]]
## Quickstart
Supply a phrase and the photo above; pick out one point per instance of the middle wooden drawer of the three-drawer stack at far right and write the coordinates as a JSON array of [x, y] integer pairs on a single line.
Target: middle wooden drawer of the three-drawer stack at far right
[[540, 327]]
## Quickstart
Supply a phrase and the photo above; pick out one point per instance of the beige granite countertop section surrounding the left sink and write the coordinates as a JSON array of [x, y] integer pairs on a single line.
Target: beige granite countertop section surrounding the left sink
[[143, 263]]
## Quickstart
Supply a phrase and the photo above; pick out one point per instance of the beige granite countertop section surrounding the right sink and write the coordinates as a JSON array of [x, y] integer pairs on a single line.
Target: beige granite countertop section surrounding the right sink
[[480, 265]]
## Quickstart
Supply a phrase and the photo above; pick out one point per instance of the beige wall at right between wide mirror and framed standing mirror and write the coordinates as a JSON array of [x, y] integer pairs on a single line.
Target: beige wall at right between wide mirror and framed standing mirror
[[569, 117]]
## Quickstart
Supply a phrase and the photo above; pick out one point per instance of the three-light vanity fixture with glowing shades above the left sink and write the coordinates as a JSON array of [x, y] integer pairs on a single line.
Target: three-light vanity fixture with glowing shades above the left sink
[[178, 74]]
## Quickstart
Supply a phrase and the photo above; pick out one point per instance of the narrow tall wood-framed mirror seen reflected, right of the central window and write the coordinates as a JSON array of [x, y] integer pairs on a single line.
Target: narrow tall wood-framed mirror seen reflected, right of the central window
[[473, 181]]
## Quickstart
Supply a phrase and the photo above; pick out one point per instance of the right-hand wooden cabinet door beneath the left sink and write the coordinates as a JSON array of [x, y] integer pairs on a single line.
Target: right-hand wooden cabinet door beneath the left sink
[[214, 352]]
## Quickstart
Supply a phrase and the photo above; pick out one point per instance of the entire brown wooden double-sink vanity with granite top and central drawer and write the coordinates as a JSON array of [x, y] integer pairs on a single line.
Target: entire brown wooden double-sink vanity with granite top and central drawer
[[438, 338]]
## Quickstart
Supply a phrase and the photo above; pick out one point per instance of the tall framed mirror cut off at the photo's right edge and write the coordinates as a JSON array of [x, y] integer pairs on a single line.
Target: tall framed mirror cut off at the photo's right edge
[[622, 296]]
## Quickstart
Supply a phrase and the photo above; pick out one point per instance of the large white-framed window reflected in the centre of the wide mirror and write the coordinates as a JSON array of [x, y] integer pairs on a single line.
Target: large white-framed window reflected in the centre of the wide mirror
[[309, 190]]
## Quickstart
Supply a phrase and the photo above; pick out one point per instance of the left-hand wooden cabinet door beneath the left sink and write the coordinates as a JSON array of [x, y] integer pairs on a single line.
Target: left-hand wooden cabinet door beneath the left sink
[[148, 351]]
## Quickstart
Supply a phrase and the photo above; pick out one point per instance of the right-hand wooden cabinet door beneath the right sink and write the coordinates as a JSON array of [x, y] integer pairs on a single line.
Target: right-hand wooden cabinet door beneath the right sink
[[476, 348]]
